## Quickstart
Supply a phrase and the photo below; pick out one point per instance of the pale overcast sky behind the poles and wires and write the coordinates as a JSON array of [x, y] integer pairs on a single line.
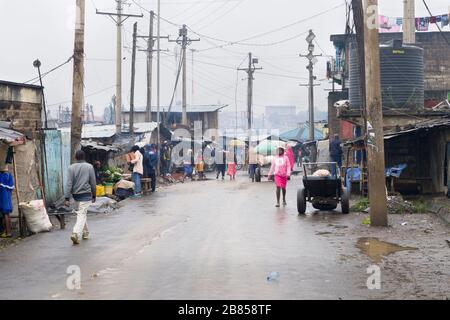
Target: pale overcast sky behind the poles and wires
[[43, 29]]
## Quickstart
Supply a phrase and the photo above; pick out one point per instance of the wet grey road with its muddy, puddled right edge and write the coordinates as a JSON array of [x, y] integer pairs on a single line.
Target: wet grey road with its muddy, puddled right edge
[[220, 240]]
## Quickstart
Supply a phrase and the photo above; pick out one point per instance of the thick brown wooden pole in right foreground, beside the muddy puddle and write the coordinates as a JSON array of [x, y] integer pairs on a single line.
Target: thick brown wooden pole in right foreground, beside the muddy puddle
[[375, 134]]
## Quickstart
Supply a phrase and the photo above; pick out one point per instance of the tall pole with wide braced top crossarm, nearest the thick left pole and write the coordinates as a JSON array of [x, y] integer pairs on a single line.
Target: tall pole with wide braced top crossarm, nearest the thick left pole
[[118, 19]]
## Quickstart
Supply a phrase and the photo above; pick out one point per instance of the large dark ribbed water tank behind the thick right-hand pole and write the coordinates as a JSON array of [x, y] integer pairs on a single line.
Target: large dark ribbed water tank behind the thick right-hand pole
[[402, 76]]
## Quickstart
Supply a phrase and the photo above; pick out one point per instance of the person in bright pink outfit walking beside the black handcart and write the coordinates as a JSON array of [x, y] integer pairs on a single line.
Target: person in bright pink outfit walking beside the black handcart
[[281, 170]]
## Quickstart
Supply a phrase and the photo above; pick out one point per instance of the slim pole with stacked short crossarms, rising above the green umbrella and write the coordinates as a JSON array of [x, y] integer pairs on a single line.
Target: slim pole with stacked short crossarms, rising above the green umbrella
[[312, 61]]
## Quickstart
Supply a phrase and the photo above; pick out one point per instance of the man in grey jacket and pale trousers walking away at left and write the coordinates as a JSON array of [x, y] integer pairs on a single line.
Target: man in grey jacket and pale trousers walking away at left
[[81, 185]]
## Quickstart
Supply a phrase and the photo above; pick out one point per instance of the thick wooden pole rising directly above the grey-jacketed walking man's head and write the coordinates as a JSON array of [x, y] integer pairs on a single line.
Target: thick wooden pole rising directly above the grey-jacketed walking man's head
[[78, 81]]
